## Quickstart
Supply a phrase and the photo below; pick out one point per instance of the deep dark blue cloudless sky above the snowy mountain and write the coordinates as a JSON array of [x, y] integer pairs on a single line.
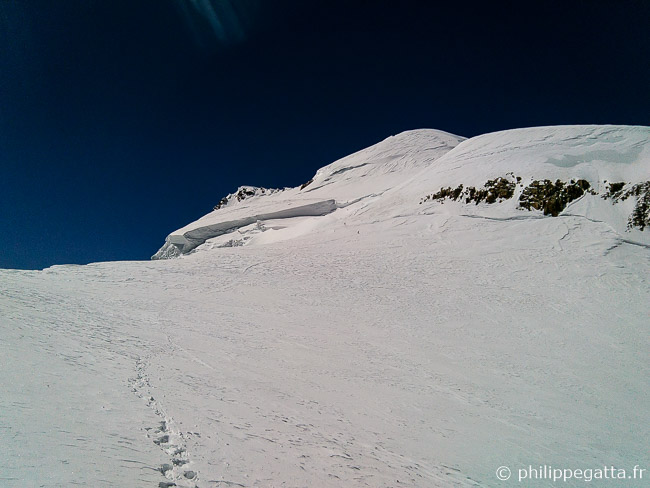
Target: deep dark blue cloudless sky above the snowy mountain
[[121, 121]]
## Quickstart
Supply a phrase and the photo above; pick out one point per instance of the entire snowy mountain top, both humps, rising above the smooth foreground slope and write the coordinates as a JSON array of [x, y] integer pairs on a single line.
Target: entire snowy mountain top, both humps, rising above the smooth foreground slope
[[393, 178]]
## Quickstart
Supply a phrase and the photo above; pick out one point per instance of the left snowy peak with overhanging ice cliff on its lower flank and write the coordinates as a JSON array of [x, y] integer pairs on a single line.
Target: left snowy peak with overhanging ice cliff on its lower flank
[[365, 174]]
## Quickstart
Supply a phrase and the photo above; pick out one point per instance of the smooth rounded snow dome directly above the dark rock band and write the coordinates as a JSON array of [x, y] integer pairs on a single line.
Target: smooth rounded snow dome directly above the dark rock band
[[595, 153]]
